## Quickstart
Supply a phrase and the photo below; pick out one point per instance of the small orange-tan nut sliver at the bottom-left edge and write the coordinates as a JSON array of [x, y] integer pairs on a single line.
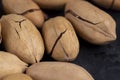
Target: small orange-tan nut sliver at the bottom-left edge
[[18, 76]]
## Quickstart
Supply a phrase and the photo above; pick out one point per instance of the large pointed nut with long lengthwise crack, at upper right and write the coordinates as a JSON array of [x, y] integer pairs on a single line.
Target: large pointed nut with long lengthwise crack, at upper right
[[91, 23]]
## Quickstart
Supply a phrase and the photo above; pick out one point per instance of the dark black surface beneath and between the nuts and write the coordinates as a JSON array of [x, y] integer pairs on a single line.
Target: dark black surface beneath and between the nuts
[[103, 62]]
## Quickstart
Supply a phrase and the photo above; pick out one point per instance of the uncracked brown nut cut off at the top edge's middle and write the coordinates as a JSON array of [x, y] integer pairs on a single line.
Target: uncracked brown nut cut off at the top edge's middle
[[51, 4]]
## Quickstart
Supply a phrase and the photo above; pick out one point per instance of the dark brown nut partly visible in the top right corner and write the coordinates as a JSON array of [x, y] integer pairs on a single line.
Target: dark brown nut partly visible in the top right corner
[[108, 4]]
